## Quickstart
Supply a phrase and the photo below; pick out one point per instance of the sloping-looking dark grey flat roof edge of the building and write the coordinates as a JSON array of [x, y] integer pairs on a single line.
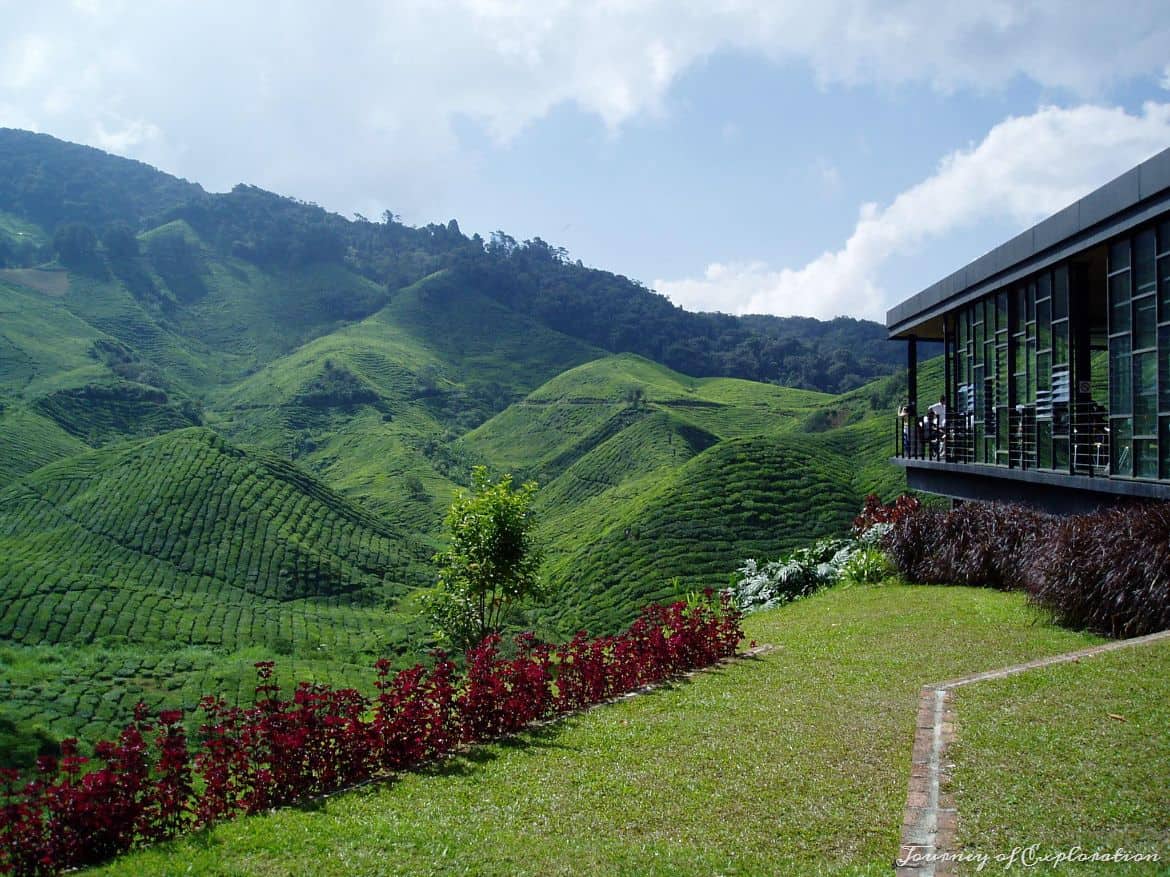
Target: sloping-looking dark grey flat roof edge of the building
[[1138, 196]]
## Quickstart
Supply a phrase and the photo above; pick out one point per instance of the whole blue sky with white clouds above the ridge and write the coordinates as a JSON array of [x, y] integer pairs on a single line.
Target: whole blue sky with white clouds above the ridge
[[774, 157]]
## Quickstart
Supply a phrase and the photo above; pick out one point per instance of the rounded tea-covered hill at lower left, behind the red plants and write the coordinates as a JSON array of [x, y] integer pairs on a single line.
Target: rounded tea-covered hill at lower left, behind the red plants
[[162, 570]]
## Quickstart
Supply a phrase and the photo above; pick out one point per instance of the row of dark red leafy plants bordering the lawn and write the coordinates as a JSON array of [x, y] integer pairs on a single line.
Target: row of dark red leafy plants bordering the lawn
[[153, 784]]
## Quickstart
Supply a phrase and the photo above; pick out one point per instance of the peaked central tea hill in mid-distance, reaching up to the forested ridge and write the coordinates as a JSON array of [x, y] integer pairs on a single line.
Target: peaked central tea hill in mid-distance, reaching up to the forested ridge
[[374, 409]]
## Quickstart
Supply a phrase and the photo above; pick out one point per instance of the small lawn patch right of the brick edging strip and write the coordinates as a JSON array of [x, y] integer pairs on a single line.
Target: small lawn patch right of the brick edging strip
[[1075, 755]]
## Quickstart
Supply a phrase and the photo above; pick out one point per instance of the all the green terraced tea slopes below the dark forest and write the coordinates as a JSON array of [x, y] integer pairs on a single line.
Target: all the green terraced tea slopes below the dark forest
[[300, 522]]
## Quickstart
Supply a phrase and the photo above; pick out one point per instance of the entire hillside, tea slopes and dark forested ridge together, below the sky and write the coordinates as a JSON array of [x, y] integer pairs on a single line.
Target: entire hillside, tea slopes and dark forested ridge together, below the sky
[[231, 426]]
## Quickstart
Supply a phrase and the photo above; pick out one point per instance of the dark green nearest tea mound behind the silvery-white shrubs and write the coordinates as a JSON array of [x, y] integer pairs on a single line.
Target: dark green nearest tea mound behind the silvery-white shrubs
[[742, 498]]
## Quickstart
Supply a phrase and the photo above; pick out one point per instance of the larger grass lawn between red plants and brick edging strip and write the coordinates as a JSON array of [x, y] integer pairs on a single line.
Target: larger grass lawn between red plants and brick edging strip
[[796, 763]]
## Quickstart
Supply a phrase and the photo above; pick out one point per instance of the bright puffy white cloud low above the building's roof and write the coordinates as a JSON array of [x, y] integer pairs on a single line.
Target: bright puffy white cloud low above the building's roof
[[1026, 169]]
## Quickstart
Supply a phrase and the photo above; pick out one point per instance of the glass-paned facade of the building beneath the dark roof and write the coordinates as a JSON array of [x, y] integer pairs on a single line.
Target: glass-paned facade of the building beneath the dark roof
[[1024, 363]]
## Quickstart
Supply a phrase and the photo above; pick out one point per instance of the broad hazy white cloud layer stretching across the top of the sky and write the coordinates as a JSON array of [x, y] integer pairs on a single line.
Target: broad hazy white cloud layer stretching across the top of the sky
[[359, 105]]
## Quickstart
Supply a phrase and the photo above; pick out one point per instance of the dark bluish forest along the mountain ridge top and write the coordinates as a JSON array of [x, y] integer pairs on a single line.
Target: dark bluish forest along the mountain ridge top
[[84, 203]]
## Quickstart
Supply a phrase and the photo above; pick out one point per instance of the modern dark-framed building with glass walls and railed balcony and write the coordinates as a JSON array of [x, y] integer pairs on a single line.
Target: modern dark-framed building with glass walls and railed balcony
[[1056, 374]]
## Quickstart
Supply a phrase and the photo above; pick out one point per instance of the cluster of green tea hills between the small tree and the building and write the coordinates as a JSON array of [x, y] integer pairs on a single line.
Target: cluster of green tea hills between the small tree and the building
[[655, 484]]
